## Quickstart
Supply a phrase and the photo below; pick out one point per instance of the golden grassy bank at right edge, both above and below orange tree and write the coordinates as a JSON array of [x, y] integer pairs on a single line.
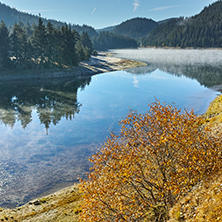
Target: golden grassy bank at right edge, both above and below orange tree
[[204, 202]]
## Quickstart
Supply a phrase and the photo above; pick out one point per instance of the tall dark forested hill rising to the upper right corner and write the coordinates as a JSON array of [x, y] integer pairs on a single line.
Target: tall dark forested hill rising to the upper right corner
[[201, 30]]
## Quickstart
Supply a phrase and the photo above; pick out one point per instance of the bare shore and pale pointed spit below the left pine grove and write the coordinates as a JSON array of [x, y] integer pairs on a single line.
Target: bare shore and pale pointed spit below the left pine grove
[[104, 62]]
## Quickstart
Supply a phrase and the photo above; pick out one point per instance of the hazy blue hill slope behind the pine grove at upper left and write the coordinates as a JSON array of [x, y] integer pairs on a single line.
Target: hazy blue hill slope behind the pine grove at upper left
[[10, 16]]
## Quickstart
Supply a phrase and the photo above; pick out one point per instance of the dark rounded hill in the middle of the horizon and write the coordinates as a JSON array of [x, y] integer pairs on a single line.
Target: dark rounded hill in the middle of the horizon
[[135, 28]]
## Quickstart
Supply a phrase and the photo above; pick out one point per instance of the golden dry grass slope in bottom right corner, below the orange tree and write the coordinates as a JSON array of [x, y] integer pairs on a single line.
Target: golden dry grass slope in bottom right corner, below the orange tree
[[204, 203]]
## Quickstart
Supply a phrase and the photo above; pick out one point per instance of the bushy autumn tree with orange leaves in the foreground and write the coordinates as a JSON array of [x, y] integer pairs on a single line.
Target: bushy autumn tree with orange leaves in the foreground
[[157, 158]]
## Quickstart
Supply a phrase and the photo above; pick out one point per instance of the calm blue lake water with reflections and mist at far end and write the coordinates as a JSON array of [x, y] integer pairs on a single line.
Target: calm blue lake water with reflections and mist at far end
[[49, 129]]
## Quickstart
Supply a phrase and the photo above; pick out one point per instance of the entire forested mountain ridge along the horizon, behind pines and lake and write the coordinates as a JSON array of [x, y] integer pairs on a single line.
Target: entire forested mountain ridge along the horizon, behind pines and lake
[[200, 30]]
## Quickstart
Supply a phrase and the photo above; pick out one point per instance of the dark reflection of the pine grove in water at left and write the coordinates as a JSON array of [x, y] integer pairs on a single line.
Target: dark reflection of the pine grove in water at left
[[52, 100]]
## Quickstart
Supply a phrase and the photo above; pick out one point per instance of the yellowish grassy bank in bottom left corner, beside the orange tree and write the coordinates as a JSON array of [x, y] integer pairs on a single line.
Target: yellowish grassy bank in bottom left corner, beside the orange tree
[[61, 206]]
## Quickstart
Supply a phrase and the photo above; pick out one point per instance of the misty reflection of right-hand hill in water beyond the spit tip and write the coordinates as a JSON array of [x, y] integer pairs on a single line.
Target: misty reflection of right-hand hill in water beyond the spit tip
[[208, 76]]
